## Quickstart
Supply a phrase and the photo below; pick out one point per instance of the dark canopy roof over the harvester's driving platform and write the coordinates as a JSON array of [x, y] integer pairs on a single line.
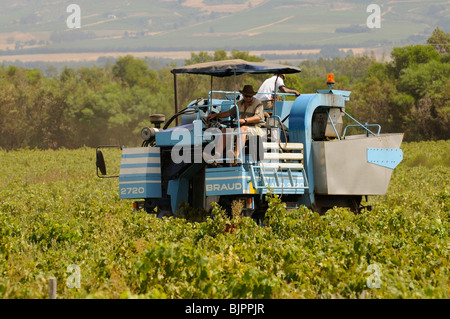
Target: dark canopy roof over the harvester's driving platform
[[237, 66]]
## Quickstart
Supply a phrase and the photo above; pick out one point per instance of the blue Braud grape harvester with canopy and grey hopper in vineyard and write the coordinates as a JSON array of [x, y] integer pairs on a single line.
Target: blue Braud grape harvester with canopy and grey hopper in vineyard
[[306, 155]]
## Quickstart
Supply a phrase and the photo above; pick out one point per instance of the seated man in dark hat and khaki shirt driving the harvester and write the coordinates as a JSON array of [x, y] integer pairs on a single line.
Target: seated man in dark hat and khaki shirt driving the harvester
[[251, 118]]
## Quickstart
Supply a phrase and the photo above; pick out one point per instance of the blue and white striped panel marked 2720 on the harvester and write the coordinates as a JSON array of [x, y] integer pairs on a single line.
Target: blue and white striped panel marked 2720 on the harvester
[[140, 173]]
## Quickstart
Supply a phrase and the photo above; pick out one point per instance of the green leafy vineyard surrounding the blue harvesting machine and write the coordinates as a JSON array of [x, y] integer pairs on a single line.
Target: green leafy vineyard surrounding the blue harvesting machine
[[57, 219]]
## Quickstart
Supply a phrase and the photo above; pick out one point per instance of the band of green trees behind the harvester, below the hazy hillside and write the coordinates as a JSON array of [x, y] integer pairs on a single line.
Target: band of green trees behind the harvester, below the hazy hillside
[[95, 105]]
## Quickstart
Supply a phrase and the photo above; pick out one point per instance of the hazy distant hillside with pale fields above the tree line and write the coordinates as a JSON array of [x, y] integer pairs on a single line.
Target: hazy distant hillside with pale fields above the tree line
[[28, 26]]
